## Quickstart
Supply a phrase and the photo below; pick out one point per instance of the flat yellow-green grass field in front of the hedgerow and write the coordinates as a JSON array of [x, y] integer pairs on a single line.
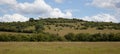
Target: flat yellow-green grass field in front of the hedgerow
[[59, 47]]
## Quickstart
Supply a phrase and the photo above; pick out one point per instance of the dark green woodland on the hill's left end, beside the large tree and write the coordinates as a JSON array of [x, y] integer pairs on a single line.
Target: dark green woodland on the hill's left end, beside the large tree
[[16, 26]]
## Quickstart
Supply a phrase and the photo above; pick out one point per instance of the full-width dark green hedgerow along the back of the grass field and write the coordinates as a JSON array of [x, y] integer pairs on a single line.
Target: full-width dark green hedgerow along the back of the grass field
[[46, 37]]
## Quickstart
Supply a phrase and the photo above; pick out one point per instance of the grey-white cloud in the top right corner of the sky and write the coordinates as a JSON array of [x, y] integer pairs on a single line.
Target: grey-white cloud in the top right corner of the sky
[[105, 3]]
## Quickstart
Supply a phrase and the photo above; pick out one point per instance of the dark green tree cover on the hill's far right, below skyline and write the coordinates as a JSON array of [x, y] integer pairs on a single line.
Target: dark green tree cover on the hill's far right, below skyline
[[102, 25]]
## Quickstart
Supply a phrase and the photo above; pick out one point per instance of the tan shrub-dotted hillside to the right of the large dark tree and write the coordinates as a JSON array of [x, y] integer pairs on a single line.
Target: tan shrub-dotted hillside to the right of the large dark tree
[[65, 26]]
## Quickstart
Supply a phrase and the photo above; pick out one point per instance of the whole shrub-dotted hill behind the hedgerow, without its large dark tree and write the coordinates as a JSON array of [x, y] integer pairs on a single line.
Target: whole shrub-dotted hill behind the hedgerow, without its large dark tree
[[60, 26]]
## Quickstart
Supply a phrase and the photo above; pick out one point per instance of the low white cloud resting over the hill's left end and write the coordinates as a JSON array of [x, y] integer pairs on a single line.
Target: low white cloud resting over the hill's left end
[[14, 17]]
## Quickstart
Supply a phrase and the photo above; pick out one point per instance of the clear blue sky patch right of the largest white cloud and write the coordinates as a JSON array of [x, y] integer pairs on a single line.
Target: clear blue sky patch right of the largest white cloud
[[79, 7]]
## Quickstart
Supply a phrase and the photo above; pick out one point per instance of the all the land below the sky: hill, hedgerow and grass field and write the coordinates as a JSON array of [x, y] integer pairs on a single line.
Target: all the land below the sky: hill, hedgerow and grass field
[[59, 36]]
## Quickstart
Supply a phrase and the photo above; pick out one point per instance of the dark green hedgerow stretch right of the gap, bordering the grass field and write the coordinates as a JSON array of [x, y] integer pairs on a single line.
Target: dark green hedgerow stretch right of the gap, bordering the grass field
[[93, 37]]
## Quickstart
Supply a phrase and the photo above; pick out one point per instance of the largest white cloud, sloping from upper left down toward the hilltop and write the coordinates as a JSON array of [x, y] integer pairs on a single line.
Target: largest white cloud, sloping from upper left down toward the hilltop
[[38, 7]]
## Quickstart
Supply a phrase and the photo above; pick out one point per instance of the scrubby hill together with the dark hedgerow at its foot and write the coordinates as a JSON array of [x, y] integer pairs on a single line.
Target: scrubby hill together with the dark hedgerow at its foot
[[60, 29]]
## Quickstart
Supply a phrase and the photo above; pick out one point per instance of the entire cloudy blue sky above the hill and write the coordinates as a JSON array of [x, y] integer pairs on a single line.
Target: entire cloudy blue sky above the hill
[[90, 10]]
